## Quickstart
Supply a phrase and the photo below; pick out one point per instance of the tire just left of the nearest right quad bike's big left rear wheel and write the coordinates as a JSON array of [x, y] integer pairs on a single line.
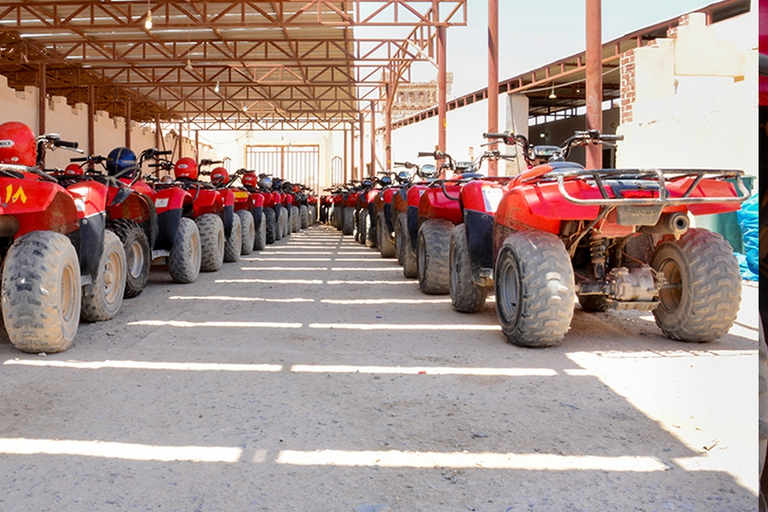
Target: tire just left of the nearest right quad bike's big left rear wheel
[[466, 295]]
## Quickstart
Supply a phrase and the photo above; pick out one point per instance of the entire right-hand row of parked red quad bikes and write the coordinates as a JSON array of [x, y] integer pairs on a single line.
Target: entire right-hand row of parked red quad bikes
[[555, 234]]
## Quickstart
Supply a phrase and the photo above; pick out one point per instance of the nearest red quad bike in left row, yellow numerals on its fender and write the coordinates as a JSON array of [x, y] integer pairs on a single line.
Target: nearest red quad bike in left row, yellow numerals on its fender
[[60, 264]]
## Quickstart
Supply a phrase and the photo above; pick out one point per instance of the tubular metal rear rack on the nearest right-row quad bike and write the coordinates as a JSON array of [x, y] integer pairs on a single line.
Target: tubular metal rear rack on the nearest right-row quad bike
[[658, 176]]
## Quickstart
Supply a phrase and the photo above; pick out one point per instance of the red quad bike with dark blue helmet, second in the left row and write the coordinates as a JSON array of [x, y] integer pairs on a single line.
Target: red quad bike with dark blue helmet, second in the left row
[[131, 214]]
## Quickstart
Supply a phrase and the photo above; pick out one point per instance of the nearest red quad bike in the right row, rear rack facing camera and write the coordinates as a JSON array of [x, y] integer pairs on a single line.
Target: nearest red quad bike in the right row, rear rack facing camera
[[614, 238]]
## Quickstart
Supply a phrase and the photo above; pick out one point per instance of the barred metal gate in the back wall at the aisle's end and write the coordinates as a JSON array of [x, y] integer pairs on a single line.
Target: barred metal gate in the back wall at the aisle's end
[[296, 164]]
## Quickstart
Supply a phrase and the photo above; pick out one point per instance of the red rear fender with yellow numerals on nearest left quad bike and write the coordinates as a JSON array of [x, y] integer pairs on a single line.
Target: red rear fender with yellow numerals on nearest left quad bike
[[31, 205]]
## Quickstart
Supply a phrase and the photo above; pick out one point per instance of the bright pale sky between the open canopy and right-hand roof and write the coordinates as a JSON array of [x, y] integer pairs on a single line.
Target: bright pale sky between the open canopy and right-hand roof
[[532, 34]]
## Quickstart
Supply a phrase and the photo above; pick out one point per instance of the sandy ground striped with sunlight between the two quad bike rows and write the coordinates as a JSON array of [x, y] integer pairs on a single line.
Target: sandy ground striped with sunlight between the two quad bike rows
[[313, 377]]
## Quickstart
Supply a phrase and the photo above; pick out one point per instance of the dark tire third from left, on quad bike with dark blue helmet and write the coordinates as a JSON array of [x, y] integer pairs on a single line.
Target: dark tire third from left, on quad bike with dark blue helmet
[[138, 255]]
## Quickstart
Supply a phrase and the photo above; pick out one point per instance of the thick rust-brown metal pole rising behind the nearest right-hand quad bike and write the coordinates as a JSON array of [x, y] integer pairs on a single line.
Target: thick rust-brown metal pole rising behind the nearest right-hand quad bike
[[594, 153]]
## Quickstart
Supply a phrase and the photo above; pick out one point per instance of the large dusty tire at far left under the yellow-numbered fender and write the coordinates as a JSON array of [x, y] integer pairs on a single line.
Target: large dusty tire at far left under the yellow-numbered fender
[[41, 294]]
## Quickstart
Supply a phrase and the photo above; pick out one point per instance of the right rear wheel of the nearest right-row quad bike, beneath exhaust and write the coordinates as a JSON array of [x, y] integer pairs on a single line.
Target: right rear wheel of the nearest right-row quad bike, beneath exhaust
[[705, 305]]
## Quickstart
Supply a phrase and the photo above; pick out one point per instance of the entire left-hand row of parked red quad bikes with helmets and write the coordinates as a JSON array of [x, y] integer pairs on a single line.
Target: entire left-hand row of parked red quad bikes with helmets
[[75, 242]]
